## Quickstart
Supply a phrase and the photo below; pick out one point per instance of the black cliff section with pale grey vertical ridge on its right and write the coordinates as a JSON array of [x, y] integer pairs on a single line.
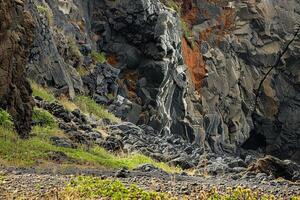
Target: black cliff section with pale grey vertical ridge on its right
[[145, 36]]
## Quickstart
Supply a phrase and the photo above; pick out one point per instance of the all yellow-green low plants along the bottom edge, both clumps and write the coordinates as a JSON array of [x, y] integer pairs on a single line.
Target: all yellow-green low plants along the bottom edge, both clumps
[[87, 187]]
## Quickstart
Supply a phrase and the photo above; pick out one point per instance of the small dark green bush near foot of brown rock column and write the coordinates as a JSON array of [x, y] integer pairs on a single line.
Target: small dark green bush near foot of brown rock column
[[44, 118]]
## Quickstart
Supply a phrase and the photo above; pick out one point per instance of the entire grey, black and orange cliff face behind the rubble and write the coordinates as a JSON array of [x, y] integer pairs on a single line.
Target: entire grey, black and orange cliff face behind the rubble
[[191, 73]]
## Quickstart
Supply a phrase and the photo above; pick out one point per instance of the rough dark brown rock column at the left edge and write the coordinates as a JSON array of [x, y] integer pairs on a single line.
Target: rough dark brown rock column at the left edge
[[16, 35]]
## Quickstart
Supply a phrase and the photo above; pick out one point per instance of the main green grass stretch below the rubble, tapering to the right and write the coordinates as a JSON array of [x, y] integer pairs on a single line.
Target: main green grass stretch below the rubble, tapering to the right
[[34, 151]]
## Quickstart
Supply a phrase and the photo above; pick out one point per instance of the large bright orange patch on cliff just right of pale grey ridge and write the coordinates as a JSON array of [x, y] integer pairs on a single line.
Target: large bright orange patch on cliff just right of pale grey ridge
[[195, 63]]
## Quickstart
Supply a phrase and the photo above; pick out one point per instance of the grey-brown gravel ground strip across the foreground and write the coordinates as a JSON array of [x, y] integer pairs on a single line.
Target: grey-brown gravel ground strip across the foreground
[[44, 184]]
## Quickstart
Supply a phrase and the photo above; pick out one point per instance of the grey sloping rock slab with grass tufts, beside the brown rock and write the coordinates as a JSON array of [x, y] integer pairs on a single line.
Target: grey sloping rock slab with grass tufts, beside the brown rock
[[54, 55]]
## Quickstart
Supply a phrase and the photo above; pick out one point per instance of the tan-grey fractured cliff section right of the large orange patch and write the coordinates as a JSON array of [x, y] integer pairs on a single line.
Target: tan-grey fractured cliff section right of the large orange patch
[[239, 46]]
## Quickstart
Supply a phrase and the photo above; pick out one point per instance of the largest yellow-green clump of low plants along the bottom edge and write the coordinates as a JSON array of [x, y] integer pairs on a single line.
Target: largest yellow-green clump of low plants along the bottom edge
[[86, 187]]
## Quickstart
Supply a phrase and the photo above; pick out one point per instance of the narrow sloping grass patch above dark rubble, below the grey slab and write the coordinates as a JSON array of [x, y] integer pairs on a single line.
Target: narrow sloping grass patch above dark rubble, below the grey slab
[[89, 106]]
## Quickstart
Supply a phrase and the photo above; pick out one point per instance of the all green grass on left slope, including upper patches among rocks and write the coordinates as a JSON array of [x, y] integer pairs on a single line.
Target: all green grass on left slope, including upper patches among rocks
[[36, 150]]
